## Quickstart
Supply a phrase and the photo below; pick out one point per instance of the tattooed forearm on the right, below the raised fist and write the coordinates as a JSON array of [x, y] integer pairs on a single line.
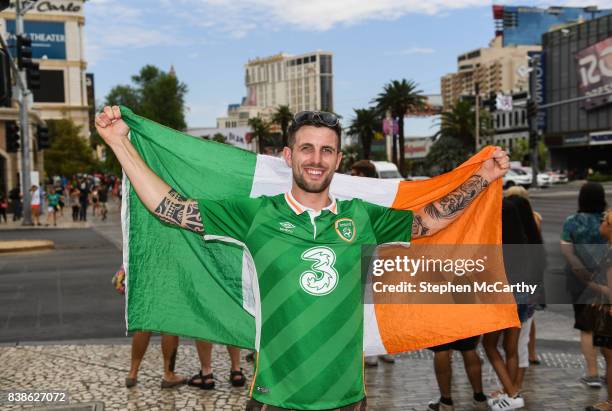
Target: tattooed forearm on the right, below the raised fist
[[440, 213]]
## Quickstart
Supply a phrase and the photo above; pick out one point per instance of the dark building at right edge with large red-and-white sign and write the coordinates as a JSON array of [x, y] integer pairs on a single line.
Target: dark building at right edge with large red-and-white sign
[[576, 74]]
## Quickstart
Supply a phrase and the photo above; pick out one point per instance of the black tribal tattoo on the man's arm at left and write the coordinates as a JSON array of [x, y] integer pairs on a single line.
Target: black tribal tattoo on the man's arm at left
[[176, 209]]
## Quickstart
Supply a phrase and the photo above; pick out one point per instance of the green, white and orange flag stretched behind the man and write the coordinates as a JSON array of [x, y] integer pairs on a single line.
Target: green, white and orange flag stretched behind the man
[[178, 284]]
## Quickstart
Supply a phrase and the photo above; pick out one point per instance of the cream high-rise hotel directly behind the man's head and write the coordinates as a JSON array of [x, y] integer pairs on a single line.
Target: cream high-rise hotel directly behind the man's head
[[303, 82]]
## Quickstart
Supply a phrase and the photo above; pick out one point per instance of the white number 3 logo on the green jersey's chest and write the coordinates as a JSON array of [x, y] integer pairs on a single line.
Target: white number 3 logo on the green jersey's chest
[[323, 278]]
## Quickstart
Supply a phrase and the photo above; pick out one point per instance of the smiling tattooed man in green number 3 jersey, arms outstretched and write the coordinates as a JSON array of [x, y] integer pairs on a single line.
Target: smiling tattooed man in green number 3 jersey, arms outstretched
[[304, 249]]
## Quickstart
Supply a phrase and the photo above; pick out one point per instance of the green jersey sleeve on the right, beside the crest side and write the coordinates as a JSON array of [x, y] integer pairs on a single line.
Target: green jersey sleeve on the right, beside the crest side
[[389, 225]]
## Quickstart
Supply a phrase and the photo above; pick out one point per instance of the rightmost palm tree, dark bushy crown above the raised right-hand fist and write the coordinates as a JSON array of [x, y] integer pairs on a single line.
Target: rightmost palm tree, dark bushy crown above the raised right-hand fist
[[460, 123]]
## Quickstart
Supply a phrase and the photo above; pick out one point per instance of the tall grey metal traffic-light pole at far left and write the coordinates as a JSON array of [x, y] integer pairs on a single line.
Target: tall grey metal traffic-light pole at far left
[[23, 97]]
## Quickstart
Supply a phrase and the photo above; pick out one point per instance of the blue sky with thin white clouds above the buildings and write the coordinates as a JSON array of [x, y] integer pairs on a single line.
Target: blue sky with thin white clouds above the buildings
[[209, 41]]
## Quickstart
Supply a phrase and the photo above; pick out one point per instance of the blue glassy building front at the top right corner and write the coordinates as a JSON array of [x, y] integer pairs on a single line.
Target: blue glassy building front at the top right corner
[[520, 25]]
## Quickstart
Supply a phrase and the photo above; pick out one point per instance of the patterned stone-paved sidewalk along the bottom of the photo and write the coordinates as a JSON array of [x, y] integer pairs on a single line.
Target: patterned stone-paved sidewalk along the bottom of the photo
[[92, 372]]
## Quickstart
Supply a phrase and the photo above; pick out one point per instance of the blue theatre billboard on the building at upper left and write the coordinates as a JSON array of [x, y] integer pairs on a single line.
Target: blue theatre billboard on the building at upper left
[[48, 38]]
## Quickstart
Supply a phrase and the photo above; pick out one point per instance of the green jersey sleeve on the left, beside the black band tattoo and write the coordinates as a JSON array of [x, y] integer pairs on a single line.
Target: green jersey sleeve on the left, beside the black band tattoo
[[228, 218]]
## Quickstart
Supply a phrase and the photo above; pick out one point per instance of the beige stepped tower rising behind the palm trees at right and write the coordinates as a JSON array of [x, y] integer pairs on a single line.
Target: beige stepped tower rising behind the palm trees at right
[[494, 69]]
